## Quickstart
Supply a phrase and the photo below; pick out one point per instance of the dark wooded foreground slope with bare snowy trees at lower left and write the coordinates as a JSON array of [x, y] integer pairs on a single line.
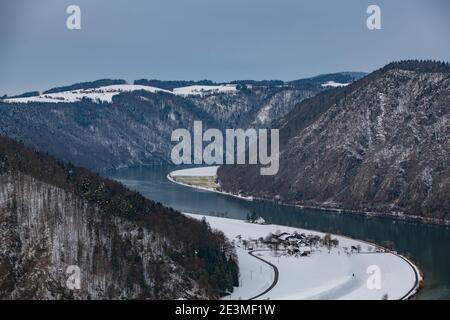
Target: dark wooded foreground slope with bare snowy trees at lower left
[[55, 215]]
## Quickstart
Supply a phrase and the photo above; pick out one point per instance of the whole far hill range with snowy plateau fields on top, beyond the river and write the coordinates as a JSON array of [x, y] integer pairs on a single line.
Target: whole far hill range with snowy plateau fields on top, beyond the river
[[106, 124]]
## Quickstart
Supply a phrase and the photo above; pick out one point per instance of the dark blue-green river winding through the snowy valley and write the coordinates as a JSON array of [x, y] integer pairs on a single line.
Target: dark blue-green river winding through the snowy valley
[[427, 245]]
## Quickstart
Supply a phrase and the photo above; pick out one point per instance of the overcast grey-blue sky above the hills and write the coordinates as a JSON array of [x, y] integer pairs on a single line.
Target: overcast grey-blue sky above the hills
[[210, 39]]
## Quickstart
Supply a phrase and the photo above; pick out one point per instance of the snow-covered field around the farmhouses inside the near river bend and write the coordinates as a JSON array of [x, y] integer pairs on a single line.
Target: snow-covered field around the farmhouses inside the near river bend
[[324, 274]]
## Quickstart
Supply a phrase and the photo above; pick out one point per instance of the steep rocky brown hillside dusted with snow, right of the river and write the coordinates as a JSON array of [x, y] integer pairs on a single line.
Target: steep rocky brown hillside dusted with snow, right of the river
[[380, 144]]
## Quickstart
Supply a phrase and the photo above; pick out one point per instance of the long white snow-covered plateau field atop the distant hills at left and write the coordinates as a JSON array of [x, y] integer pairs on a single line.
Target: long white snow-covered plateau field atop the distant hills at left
[[106, 93]]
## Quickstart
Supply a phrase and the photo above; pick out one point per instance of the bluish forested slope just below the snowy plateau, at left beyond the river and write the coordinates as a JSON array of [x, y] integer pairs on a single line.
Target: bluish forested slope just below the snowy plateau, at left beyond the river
[[135, 128]]
